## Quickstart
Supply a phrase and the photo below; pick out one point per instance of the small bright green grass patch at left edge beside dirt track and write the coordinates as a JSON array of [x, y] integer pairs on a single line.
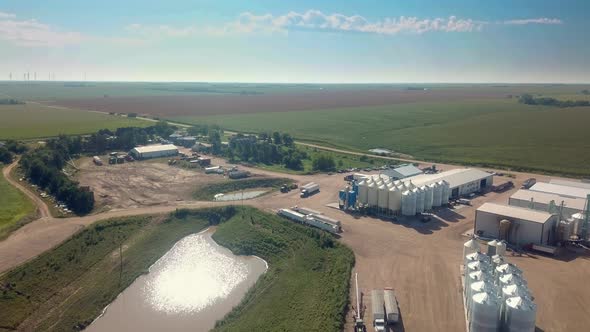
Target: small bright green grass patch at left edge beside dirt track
[[15, 207]]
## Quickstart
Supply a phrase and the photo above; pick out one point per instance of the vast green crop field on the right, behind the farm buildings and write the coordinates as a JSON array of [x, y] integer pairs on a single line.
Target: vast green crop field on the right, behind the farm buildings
[[495, 132]]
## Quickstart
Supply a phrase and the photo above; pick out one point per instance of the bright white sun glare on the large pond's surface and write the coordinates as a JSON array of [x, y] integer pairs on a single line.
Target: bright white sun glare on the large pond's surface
[[192, 276]]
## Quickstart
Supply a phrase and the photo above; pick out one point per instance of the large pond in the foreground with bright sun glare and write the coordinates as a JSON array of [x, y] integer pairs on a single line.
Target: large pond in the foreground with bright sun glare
[[193, 285]]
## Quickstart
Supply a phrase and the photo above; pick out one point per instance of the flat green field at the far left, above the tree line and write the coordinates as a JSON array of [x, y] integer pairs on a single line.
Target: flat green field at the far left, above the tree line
[[37, 121]]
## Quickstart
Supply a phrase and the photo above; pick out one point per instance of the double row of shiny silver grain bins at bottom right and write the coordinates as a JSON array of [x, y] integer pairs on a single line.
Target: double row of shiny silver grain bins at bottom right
[[495, 293]]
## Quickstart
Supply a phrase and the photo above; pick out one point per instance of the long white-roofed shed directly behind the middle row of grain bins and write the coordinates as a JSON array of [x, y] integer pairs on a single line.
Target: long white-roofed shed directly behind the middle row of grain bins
[[462, 181]]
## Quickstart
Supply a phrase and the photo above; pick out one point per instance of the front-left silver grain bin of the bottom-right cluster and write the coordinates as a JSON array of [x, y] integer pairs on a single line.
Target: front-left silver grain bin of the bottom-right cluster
[[485, 313]]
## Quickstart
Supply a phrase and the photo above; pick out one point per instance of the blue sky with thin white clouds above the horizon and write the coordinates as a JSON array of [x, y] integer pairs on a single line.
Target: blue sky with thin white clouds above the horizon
[[329, 41]]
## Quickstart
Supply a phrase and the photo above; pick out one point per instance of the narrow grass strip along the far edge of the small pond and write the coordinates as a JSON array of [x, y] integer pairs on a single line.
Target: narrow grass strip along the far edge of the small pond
[[207, 192]]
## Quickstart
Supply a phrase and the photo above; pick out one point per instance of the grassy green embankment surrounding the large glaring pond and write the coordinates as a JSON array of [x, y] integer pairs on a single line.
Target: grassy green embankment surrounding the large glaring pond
[[66, 288]]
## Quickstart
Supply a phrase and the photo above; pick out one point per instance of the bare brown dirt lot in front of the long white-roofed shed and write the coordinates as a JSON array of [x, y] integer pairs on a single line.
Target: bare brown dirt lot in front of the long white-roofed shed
[[139, 184]]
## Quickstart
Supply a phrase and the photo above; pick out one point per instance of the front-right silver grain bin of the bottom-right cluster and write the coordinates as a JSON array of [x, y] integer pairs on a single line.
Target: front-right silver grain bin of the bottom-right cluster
[[520, 315]]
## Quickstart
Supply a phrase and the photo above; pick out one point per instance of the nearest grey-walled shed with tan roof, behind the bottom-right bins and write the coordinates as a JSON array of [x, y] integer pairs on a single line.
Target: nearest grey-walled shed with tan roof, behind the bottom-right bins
[[524, 226]]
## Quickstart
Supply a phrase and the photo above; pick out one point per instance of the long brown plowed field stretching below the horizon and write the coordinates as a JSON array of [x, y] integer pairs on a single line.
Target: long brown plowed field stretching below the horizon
[[243, 104]]
